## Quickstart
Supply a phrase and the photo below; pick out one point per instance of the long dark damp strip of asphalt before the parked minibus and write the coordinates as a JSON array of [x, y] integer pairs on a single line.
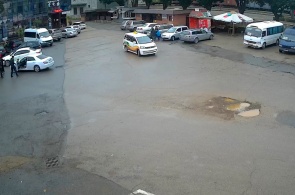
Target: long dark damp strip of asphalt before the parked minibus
[[275, 66]]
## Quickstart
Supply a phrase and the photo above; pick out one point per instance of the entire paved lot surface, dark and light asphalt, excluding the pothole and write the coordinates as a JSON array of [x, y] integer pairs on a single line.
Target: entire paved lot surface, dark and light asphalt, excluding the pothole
[[103, 121]]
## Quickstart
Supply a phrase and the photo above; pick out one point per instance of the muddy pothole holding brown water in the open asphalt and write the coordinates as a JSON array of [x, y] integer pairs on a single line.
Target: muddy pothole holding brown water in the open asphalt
[[227, 108]]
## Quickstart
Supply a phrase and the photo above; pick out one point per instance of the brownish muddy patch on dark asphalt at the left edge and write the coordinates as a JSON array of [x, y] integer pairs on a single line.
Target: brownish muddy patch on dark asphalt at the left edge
[[8, 163]]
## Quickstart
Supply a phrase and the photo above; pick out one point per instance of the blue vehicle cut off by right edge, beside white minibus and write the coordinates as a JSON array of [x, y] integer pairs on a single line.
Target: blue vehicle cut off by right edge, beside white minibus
[[287, 41]]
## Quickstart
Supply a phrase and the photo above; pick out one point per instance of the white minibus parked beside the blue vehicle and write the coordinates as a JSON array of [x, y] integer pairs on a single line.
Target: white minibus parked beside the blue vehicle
[[261, 34]]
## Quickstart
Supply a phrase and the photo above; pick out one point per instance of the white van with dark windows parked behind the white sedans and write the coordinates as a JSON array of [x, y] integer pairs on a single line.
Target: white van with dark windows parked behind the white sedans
[[38, 34]]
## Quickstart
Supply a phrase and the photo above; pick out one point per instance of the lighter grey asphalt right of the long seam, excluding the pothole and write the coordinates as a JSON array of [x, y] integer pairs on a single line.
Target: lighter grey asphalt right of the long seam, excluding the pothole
[[140, 122]]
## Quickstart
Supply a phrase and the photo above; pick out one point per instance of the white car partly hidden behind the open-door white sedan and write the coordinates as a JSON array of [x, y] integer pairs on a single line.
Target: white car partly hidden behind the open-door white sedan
[[20, 53]]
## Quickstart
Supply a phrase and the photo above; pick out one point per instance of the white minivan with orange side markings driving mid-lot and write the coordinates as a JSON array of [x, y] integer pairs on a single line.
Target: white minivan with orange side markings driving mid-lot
[[139, 44]]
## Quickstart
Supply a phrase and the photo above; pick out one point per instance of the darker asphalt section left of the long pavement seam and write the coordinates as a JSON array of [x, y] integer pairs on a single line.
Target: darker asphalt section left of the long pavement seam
[[33, 130]]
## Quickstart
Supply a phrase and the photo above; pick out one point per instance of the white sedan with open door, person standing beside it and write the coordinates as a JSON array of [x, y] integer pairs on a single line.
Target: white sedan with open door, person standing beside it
[[35, 62]]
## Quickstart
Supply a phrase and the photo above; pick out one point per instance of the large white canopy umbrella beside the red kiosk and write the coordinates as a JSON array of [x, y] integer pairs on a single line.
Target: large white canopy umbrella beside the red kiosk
[[233, 17]]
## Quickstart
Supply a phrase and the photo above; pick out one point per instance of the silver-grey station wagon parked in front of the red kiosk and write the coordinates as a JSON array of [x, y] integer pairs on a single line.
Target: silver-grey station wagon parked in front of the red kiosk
[[196, 35]]
